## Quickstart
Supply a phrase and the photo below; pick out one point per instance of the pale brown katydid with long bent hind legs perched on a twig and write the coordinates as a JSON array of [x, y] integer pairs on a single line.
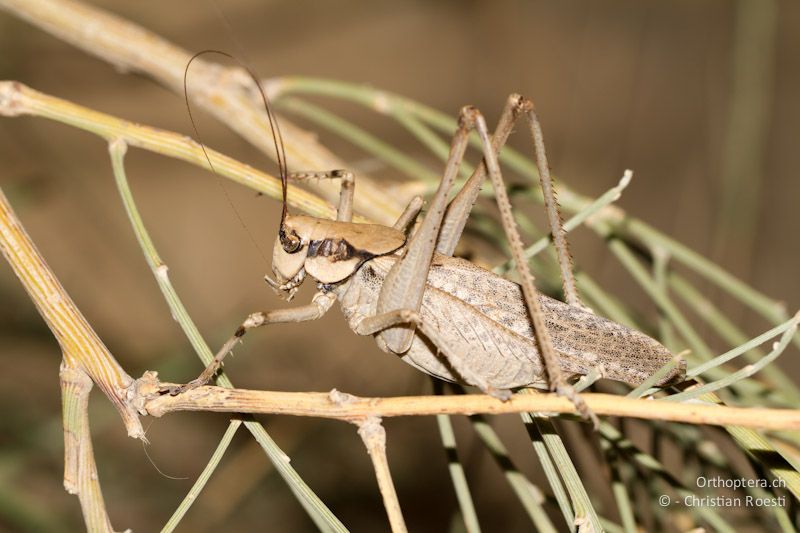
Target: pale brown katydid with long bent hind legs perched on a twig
[[441, 314]]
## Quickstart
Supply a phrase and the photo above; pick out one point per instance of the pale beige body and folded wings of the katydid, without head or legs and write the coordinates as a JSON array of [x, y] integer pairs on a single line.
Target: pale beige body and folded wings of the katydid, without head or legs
[[486, 319]]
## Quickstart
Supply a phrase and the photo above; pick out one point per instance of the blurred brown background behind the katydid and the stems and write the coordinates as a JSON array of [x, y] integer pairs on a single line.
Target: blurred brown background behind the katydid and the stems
[[699, 98]]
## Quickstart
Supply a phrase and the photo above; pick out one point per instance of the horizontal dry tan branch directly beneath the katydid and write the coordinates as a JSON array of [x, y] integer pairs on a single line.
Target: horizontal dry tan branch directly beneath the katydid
[[322, 405]]
